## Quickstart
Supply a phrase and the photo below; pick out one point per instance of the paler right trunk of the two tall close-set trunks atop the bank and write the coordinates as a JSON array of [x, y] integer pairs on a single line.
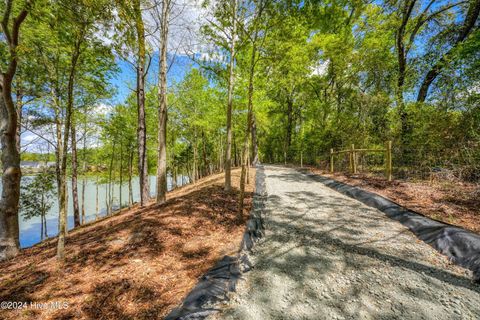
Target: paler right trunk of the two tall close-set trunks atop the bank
[[162, 108]]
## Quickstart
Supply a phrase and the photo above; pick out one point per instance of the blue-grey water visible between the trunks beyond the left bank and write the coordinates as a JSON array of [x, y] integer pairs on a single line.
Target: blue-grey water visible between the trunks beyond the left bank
[[30, 229]]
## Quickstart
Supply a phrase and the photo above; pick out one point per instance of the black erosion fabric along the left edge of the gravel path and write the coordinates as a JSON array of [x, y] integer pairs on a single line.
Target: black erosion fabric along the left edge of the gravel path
[[214, 286]]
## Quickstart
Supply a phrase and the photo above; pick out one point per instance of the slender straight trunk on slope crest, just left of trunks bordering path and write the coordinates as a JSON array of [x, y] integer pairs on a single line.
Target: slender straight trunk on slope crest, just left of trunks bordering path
[[231, 80]]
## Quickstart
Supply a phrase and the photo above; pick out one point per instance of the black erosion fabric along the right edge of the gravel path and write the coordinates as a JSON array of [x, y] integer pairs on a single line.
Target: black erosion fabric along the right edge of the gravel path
[[460, 245]]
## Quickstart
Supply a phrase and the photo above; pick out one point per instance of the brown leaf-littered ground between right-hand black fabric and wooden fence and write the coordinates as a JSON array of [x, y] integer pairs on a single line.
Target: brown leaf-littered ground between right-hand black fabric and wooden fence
[[456, 203]]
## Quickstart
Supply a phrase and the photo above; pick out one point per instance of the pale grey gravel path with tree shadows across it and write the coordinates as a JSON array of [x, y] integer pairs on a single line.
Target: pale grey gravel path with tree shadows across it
[[326, 256]]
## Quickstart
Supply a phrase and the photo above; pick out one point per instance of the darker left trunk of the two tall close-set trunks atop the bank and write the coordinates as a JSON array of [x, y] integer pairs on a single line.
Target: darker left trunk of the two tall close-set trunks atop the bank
[[141, 126]]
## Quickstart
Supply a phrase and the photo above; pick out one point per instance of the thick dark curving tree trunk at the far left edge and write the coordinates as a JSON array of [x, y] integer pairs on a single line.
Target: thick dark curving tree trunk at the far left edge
[[11, 173]]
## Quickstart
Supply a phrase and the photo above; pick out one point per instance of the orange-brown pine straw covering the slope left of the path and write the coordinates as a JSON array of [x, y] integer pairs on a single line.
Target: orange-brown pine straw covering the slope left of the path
[[138, 264]]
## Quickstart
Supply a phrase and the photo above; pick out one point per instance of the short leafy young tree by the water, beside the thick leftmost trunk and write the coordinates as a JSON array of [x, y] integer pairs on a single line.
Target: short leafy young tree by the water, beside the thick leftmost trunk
[[36, 199]]
